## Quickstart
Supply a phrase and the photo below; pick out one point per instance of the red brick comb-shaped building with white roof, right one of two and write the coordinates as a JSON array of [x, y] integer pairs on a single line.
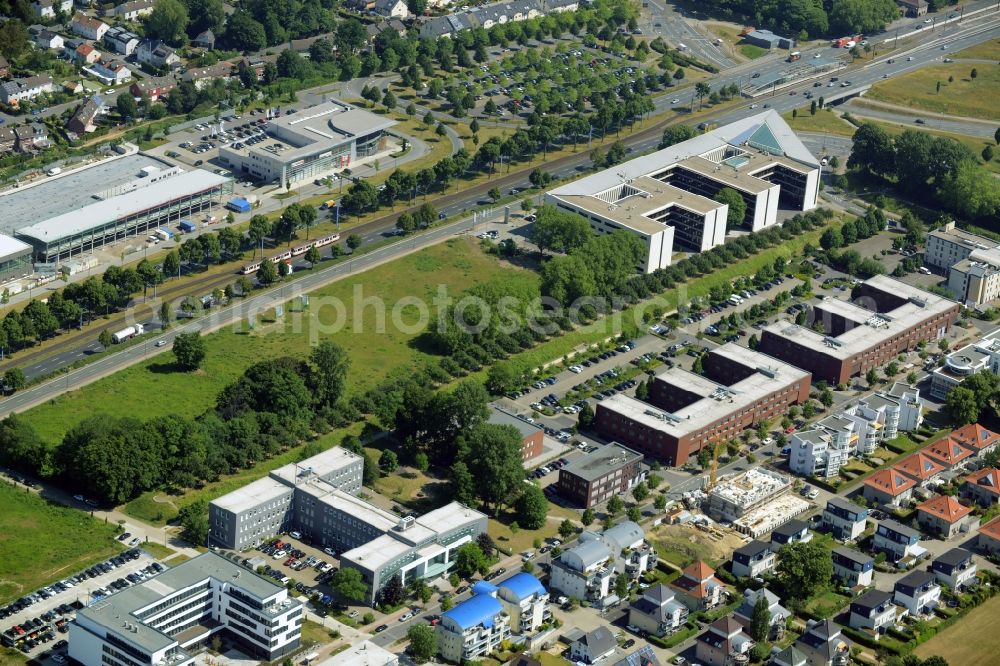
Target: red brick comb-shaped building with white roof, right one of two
[[886, 318]]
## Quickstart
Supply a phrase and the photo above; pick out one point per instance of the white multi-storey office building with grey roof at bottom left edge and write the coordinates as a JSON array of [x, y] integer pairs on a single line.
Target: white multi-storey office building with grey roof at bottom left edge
[[167, 619]]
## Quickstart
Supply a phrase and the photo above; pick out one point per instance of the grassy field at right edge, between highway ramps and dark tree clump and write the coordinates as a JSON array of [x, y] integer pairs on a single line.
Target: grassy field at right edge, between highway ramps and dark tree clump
[[973, 98]]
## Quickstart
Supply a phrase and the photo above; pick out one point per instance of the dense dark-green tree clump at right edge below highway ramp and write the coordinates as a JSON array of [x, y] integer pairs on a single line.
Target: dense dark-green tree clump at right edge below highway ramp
[[938, 171]]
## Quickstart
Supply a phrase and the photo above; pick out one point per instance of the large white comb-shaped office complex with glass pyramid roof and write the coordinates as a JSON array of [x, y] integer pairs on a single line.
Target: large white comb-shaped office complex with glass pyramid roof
[[667, 197]]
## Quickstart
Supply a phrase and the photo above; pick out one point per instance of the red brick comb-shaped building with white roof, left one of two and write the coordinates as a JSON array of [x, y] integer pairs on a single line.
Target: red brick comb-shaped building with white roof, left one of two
[[739, 389]]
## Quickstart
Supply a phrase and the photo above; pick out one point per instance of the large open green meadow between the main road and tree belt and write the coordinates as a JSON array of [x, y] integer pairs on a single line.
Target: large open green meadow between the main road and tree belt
[[153, 388]]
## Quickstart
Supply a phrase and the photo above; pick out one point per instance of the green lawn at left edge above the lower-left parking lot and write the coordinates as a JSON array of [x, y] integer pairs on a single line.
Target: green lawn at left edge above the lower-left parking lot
[[43, 542]]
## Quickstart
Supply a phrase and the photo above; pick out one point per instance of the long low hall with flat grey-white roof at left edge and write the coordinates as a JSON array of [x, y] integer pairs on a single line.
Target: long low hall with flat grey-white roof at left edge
[[119, 199]]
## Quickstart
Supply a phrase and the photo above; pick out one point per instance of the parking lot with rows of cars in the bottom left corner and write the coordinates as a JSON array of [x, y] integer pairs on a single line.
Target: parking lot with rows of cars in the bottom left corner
[[34, 623]]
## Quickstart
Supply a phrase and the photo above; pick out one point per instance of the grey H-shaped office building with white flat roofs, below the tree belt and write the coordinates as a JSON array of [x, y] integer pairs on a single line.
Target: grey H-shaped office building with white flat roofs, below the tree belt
[[316, 497]]
